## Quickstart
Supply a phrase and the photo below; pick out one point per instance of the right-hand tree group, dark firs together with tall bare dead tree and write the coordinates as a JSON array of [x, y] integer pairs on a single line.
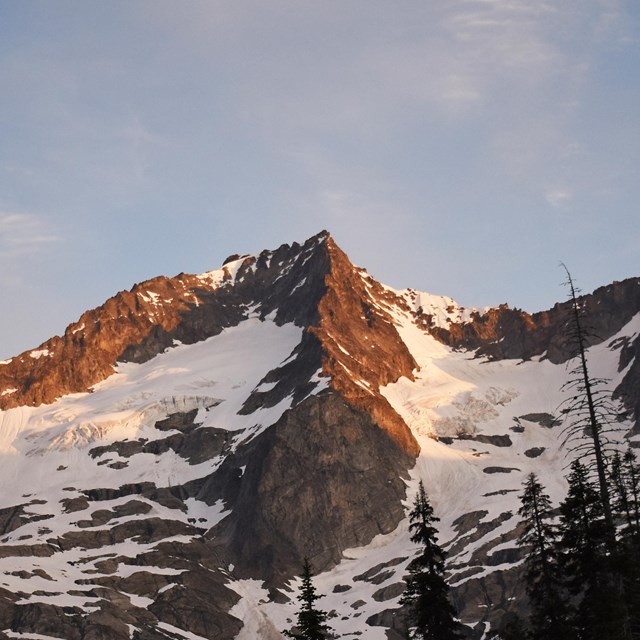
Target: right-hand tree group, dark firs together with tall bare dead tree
[[583, 572]]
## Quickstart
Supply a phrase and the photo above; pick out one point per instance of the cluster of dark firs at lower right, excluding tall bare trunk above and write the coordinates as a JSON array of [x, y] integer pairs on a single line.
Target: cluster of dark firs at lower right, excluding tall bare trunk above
[[582, 569]]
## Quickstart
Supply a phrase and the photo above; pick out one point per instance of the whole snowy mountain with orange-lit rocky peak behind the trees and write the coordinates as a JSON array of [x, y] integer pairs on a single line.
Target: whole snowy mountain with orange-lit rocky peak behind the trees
[[169, 461]]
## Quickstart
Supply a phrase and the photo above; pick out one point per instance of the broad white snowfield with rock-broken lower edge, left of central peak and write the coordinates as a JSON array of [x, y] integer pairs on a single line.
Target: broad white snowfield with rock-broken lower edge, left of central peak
[[44, 455]]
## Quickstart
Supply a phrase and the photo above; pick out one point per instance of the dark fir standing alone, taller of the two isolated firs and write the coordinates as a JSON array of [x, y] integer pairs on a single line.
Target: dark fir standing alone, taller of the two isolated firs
[[430, 612]]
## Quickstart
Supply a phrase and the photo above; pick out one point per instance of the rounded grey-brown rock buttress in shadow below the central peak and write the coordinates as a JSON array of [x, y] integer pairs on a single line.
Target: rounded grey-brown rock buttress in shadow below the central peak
[[323, 479]]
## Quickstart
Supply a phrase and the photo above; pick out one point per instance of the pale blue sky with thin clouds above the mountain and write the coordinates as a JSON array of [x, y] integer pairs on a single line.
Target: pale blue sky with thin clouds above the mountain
[[460, 147]]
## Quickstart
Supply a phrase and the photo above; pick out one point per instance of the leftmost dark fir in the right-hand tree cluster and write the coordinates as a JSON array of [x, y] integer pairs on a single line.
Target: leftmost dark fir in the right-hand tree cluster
[[549, 611]]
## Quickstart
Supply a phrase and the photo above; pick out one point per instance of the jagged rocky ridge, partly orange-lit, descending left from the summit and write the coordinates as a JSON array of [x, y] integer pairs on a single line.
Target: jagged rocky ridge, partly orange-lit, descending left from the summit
[[138, 324]]
